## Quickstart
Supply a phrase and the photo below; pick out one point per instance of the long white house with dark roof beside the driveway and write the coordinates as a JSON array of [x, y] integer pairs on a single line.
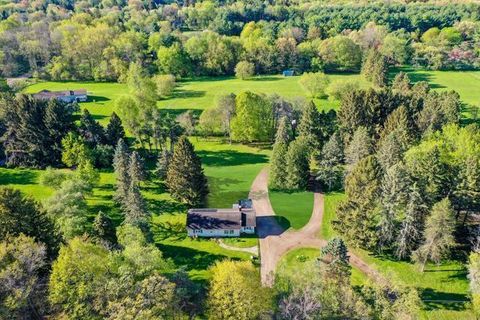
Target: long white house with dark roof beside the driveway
[[230, 222]]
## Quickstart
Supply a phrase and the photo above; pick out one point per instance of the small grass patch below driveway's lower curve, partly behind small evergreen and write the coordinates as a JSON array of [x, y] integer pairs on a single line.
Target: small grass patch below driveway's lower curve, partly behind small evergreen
[[296, 259]]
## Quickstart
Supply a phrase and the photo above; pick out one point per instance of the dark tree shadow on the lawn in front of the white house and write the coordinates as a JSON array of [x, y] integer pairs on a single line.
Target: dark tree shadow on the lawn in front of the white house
[[191, 258]]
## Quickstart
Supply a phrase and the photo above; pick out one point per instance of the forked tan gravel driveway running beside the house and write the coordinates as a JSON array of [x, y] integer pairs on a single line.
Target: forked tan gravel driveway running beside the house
[[275, 242]]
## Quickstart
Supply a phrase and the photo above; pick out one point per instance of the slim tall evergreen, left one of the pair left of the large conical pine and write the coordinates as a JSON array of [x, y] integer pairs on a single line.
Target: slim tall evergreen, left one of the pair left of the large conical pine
[[121, 165]]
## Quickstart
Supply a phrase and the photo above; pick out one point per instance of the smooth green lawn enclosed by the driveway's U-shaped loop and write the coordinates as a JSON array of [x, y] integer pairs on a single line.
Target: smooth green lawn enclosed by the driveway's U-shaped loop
[[293, 209]]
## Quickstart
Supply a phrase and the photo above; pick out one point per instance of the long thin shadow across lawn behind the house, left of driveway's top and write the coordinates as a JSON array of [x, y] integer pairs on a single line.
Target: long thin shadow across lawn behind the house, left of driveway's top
[[227, 158]]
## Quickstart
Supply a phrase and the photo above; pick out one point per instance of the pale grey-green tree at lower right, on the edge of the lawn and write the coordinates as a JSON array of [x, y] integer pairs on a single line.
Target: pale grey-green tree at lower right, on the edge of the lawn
[[438, 234]]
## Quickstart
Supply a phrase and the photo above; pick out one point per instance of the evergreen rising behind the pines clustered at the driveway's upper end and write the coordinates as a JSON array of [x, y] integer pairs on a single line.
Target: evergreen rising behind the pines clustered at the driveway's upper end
[[309, 128]]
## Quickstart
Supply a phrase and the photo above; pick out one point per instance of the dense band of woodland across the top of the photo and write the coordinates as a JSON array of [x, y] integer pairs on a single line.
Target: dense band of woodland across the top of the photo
[[71, 41]]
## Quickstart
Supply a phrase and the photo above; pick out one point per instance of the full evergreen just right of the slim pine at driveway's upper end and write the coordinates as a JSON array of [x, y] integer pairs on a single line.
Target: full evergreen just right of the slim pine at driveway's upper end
[[298, 171]]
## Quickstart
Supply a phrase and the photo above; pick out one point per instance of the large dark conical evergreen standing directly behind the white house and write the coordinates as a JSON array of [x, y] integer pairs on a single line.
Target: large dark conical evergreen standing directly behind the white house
[[185, 178]]
